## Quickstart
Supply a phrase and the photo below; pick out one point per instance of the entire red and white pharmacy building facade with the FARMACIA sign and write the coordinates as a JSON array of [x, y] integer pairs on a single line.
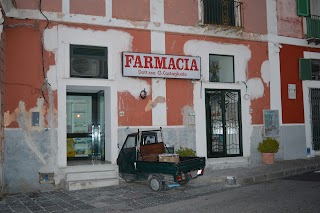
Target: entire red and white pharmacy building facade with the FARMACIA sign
[[79, 77]]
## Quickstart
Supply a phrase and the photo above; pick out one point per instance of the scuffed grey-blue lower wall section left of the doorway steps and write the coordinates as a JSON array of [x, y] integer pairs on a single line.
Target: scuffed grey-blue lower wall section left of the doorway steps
[[21, 168]]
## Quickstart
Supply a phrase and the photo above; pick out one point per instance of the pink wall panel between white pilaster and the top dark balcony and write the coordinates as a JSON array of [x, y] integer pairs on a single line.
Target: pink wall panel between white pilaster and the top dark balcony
[[181, 12]]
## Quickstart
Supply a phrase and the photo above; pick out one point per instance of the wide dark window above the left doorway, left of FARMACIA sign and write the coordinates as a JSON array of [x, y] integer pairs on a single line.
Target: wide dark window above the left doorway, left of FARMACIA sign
[[88, 62]]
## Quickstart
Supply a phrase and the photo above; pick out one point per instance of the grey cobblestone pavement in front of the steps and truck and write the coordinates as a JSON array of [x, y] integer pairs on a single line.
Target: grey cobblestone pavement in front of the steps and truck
[[122, 198]]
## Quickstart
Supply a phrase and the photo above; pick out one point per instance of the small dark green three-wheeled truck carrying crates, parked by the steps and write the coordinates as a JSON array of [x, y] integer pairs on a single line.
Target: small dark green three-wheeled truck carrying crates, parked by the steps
[[144, 156]]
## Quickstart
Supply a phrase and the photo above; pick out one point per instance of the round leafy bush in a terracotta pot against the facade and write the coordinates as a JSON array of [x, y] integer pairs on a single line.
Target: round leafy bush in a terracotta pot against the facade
[[268, 147]]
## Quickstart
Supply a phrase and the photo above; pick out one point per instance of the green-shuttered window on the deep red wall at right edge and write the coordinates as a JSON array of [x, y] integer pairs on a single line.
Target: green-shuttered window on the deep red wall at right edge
[[309, 69]]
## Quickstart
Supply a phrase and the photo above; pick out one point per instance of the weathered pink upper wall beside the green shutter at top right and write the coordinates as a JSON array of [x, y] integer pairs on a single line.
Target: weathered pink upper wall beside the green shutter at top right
[[289, 24]]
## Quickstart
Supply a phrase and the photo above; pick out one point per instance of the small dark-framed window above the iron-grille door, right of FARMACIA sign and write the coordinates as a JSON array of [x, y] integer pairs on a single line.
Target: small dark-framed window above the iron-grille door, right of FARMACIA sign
[[221, 68]]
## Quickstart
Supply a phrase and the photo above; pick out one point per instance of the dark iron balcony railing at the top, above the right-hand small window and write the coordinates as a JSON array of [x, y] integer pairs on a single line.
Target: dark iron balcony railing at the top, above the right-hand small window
[[223, 12]]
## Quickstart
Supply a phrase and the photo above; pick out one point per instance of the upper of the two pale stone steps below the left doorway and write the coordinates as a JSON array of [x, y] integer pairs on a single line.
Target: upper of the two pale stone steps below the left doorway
[[92, 175]]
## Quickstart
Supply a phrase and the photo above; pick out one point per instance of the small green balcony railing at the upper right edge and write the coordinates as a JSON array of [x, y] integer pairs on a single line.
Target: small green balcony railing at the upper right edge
[[313, 29]]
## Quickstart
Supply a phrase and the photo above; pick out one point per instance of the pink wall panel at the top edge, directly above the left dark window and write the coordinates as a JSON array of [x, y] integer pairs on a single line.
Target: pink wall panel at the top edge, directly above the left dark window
[[88, 7]]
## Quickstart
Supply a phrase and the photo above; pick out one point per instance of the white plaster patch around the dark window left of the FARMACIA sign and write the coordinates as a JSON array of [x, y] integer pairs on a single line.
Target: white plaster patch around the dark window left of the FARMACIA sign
[[109, 39]]
